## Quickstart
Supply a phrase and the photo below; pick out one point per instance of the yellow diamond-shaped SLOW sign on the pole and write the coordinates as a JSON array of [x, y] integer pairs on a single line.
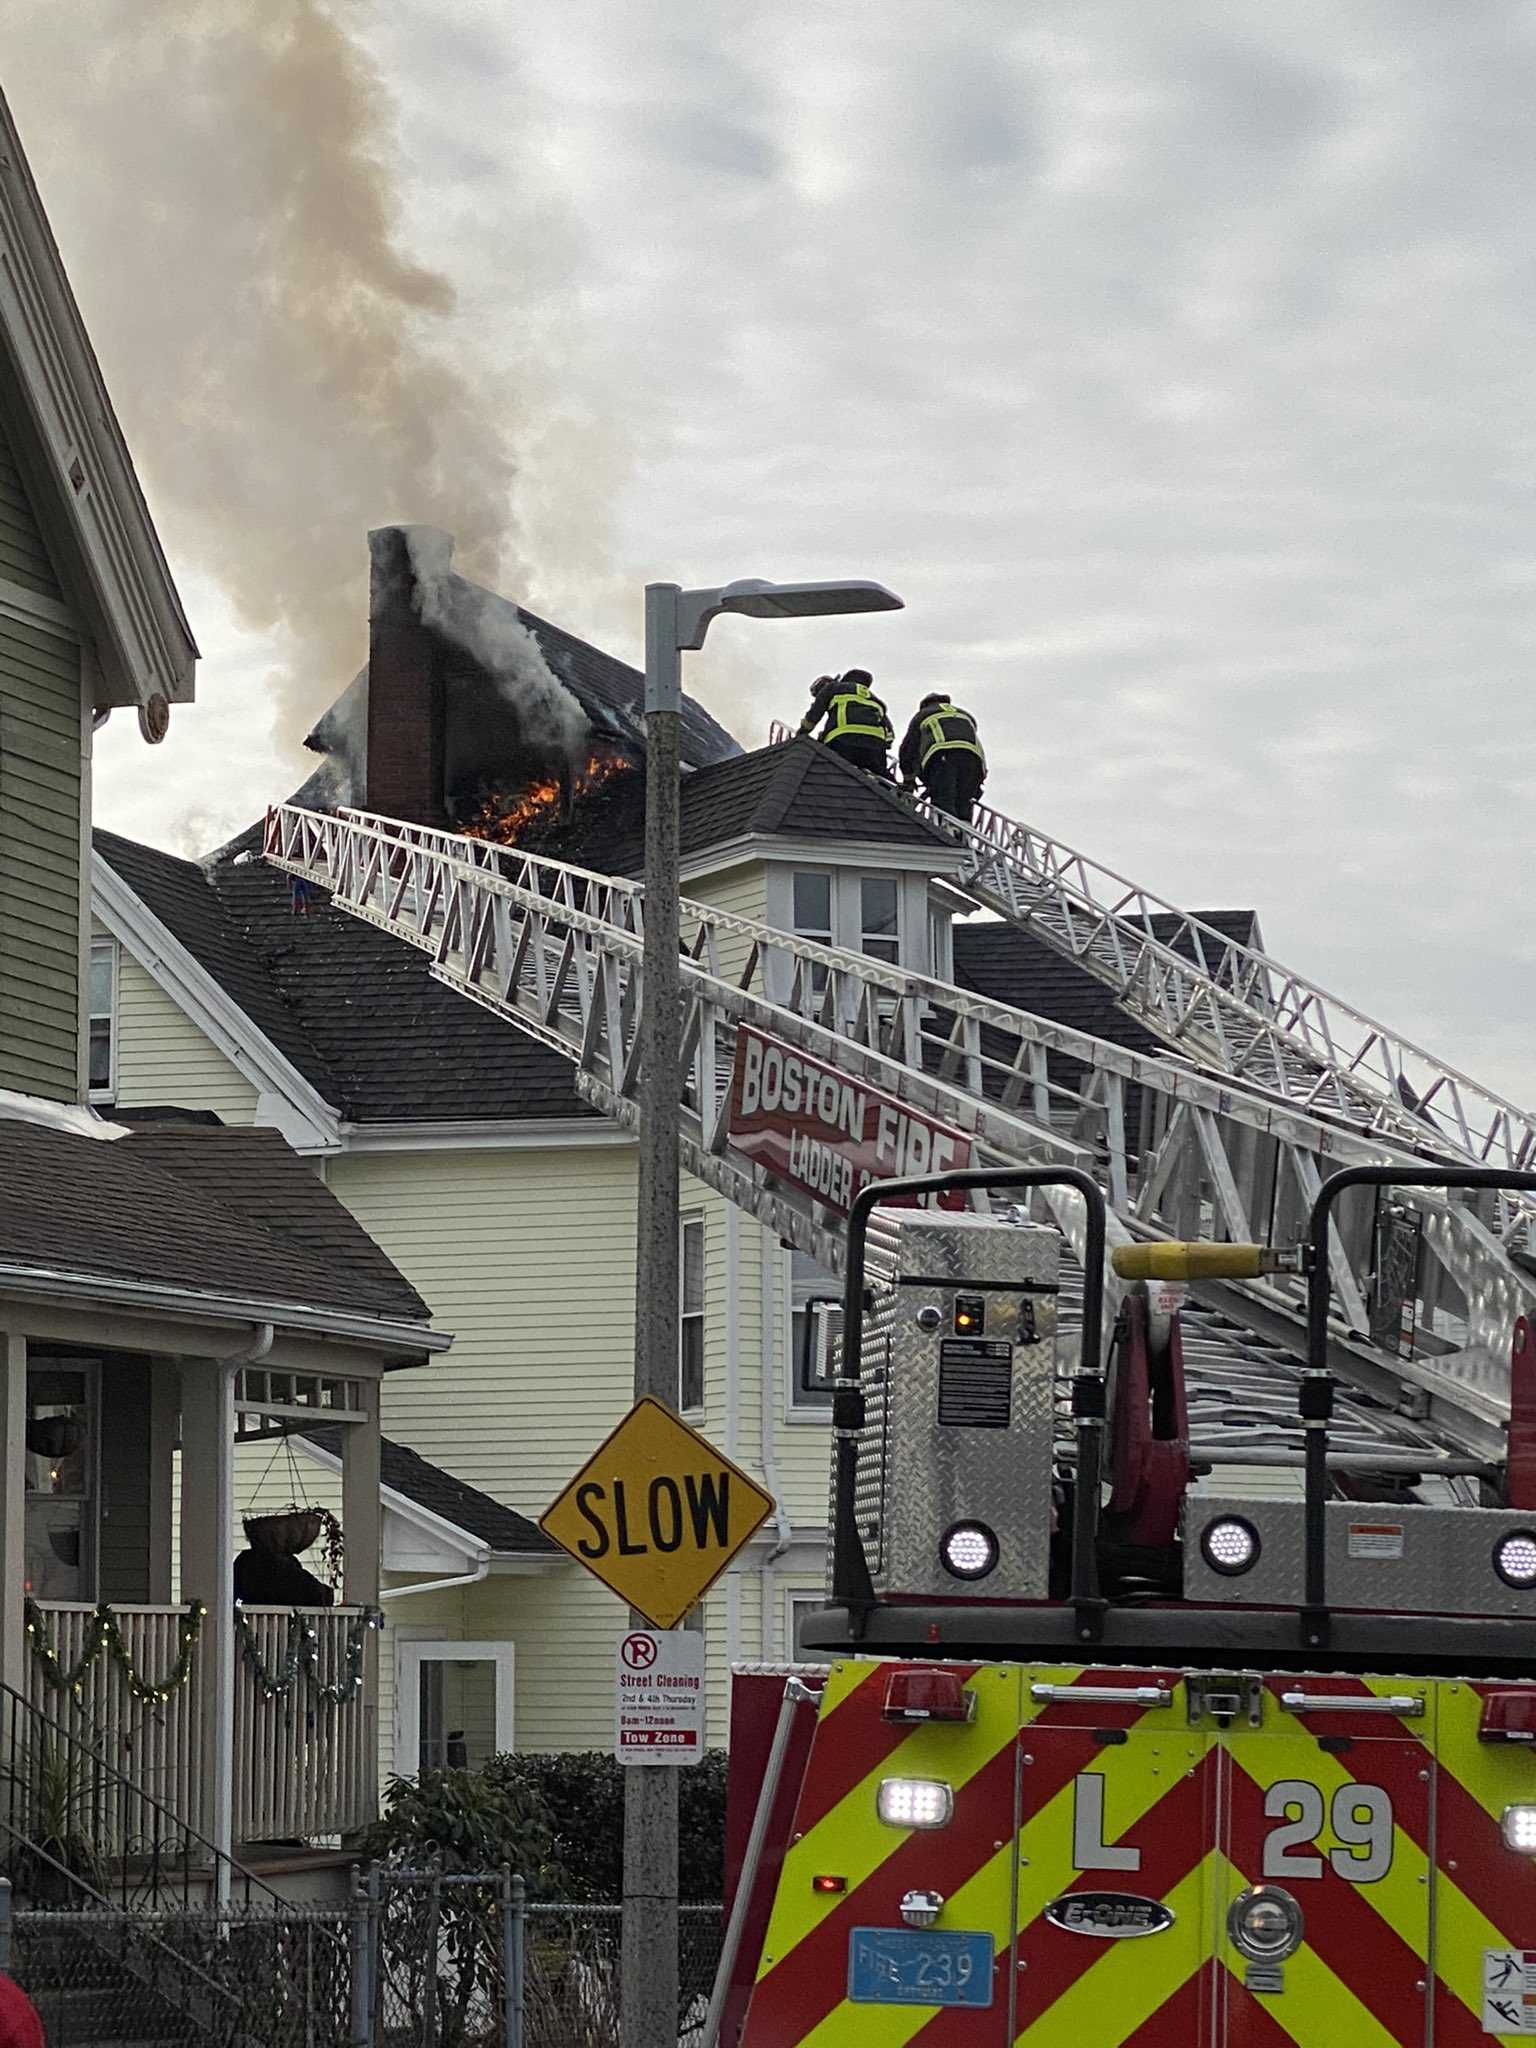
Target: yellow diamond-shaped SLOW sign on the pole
[[656, 1512]]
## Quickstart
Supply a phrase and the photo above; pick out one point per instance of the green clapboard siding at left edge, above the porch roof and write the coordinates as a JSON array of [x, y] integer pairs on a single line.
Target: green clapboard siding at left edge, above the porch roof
[[42, 771]]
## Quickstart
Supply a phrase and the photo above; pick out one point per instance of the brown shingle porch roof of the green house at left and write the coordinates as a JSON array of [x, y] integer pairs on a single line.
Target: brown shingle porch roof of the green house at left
[[208, 1211]]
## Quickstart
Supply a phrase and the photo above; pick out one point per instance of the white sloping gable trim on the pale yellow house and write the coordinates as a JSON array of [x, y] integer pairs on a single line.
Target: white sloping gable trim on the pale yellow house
[[300, 1111]]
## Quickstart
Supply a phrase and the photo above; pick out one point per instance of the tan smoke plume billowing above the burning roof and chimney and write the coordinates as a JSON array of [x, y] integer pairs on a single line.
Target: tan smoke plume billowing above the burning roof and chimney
[[286, 374]]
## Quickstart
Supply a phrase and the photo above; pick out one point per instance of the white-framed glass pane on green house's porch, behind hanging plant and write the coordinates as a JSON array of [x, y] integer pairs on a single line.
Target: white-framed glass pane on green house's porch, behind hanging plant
[[62, 1480]]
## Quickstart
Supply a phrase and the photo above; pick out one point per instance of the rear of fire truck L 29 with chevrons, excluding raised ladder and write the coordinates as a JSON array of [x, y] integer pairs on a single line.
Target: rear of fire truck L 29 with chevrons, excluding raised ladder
[[1113, 1750]]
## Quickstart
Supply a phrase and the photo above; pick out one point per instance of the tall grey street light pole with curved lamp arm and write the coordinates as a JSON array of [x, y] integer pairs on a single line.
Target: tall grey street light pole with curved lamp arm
[[675, 620]]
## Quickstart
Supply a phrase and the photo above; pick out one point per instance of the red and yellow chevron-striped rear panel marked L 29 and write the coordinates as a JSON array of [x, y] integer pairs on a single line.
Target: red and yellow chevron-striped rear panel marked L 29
[[1383, 1826]]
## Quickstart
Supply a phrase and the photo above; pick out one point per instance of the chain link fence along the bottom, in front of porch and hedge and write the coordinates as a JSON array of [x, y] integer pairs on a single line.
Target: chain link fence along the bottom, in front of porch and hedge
[[413, 1961]]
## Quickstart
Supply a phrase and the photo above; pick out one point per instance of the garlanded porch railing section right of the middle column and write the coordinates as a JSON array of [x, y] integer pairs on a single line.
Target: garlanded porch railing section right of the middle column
[[306, 1723]]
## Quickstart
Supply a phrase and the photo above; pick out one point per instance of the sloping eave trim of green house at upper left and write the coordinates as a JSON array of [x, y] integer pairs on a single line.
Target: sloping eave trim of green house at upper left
[[95, 495]]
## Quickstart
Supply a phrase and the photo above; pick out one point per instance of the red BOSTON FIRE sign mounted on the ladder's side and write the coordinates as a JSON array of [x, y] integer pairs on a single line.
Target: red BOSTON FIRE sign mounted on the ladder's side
[[818, 1129]]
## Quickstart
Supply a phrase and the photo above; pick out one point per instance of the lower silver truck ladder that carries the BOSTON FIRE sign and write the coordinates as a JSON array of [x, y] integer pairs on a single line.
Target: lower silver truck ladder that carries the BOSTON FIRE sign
[[558, 951]]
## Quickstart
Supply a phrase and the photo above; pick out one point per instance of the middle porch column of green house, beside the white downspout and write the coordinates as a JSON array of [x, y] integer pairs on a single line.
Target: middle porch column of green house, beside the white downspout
[[208, 1574]]
